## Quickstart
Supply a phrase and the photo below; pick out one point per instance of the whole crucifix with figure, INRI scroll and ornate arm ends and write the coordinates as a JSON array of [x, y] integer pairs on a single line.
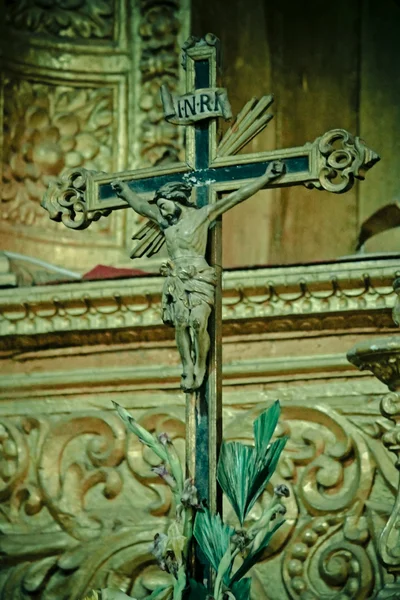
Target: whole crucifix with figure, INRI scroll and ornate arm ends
[[183, 204]]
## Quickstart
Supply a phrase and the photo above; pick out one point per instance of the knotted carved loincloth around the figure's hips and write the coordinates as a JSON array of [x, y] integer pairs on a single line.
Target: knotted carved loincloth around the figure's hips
[[185, 288]]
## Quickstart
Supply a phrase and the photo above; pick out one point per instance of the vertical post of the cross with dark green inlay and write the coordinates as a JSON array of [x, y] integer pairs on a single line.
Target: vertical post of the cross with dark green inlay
[[204, 406]]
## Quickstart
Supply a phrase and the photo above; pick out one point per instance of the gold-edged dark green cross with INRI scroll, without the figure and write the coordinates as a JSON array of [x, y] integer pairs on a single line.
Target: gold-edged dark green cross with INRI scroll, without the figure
[[331, 162]]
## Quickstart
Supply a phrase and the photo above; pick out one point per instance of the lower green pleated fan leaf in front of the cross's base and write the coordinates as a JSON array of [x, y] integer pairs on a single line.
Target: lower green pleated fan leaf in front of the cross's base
[[213, 536]]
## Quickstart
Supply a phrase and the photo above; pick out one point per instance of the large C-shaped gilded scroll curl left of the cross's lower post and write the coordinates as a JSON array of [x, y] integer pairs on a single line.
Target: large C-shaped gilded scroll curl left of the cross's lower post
[[91, 463]]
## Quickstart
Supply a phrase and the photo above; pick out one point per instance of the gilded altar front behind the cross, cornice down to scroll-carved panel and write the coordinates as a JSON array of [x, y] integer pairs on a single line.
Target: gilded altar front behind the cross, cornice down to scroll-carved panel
[[79, 503]]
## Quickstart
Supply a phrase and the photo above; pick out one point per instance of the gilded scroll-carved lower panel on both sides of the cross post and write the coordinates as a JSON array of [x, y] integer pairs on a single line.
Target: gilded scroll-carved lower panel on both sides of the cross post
[[93, 490]]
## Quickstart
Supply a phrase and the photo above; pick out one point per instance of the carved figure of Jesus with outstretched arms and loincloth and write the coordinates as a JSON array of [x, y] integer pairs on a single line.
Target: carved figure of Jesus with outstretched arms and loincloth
[[189, 288]]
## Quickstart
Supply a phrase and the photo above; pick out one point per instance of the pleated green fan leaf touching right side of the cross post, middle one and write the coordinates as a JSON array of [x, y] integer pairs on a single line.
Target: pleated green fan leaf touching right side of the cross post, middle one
[[236, 466]]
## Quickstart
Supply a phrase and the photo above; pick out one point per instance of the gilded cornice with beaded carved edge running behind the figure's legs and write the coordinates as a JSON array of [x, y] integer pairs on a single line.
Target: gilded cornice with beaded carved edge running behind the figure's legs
[[317, 297]]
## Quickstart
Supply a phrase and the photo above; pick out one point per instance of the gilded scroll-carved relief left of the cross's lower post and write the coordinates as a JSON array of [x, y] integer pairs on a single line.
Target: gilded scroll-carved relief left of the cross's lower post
[[67, 499]]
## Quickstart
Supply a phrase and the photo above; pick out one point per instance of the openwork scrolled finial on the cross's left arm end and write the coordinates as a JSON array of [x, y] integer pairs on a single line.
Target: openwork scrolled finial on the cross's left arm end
[[66, 200]]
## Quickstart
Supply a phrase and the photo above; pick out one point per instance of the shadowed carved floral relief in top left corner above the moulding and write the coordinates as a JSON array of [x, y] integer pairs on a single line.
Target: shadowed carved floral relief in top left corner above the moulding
[[85, 19]]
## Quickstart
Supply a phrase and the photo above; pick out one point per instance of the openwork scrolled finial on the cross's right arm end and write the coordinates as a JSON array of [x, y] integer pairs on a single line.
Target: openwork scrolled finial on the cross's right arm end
[[339, 159]]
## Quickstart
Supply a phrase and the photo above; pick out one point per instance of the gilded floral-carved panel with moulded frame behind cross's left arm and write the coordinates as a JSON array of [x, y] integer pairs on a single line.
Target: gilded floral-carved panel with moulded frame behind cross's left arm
[[80, 88]]
